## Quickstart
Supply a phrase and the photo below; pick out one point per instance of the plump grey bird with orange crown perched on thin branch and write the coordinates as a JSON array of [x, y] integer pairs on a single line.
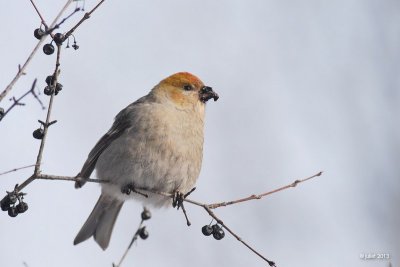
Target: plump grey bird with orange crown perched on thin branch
[[154, 144]]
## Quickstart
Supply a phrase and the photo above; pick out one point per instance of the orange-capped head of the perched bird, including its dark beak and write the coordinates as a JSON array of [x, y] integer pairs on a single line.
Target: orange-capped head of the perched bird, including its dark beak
[[185, 90]]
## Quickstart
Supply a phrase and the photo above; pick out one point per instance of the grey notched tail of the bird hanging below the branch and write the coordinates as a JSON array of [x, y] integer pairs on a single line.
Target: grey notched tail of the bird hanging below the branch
[[100, 222]]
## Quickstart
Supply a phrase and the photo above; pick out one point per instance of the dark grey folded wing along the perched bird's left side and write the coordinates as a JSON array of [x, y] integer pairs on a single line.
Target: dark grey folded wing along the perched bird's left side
[[120, 125]]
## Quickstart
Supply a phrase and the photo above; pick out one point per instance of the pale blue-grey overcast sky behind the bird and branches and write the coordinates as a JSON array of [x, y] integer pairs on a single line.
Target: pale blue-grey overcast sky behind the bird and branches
[[304, 87]]
